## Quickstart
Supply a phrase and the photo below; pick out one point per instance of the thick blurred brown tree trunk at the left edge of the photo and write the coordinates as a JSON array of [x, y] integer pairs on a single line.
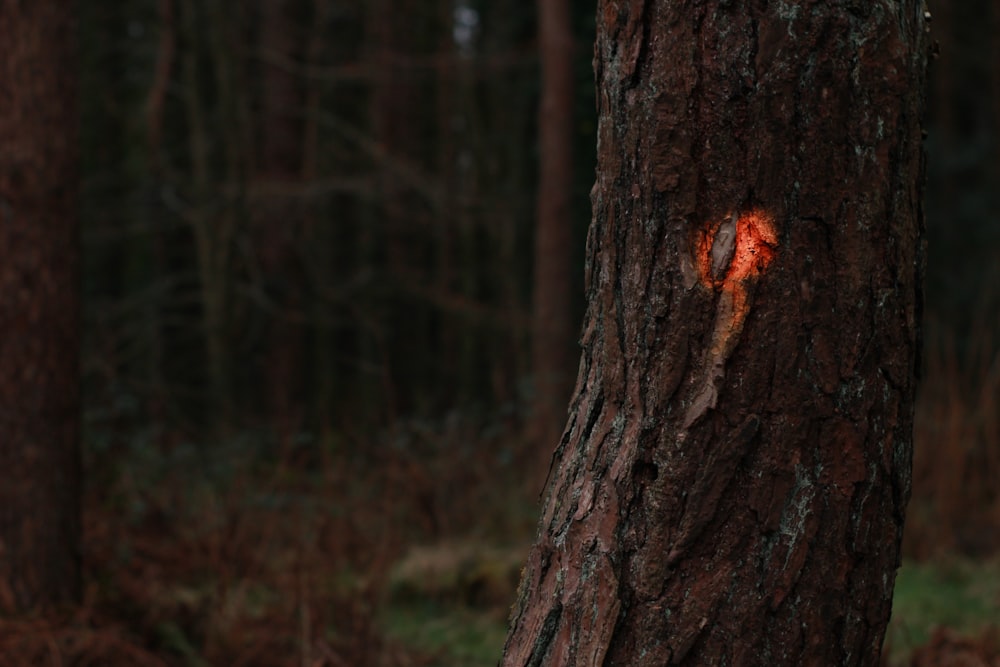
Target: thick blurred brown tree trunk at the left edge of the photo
[[39, 320]]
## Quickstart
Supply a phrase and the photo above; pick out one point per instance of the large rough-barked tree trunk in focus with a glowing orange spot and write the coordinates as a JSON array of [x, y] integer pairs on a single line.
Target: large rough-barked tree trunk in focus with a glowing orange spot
[[731, 485]]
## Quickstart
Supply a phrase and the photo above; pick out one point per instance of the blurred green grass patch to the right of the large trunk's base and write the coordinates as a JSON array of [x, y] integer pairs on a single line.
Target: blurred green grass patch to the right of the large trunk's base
[[960, 595]]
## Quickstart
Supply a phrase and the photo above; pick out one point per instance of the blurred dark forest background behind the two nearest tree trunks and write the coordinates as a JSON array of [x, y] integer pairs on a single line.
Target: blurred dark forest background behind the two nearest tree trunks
[[318, 393]]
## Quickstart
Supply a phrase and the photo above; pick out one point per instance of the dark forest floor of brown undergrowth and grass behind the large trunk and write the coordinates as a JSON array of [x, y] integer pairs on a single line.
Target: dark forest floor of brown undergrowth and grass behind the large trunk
[[404, 552]]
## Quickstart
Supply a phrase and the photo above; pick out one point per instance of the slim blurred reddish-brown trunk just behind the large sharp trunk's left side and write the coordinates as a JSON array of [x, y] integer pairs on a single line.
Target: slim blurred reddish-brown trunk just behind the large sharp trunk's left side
[[552, 330]]
